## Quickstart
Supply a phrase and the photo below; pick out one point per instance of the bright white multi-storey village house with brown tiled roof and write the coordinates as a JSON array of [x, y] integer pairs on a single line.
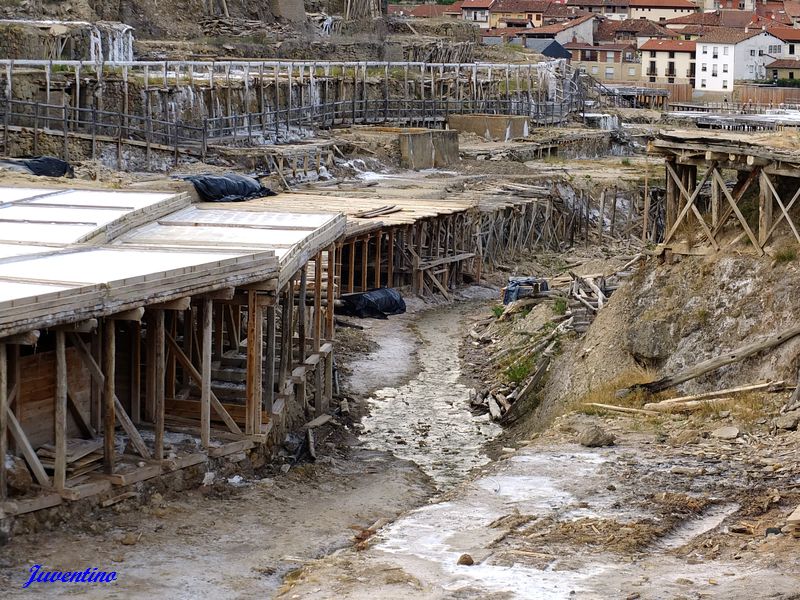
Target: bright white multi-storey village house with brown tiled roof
[[724, 56]]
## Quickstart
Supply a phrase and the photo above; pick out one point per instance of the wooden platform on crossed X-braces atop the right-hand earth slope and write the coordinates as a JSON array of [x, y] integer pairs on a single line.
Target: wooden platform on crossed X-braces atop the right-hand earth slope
[[747, 189]]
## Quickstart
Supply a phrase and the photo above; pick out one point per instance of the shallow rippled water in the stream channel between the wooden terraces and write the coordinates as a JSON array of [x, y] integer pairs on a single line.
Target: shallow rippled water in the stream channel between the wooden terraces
[[427, 420]]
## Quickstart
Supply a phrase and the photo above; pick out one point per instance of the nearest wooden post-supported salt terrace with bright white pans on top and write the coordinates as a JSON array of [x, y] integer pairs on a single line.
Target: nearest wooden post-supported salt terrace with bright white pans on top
[[162, 318]]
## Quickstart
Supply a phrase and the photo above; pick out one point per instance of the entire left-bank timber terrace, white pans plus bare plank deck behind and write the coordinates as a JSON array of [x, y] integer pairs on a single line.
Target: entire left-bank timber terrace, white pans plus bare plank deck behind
[[150, 334]]
